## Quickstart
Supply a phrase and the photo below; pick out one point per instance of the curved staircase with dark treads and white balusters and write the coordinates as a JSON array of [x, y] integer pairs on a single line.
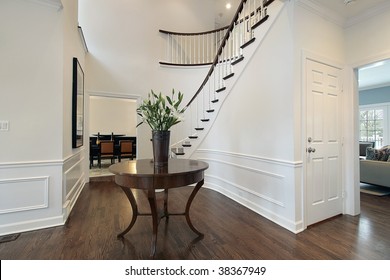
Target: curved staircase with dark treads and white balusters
[[248, 28]]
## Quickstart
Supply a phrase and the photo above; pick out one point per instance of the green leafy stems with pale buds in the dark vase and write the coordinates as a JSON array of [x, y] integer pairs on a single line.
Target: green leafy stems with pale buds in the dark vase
[[161, 112]]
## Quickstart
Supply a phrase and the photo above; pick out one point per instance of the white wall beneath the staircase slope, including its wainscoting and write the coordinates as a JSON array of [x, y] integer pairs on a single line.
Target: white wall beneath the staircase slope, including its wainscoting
[[250, 148]]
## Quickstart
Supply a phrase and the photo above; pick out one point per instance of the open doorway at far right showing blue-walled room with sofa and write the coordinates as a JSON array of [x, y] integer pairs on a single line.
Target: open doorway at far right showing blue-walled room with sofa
[[374, 126]]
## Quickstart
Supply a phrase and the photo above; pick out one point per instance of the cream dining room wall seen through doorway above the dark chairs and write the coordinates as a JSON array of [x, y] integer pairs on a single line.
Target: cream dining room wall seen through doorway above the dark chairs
[[109, 115]]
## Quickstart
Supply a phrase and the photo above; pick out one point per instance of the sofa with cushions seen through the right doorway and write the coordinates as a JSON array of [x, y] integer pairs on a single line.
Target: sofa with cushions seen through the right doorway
[[375, 169]]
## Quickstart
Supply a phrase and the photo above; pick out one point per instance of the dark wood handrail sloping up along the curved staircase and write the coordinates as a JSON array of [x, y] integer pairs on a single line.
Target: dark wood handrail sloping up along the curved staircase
[[223, 43]]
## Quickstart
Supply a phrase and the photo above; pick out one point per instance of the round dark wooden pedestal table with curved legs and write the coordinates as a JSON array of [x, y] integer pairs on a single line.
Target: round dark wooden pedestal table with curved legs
[[142, 174]]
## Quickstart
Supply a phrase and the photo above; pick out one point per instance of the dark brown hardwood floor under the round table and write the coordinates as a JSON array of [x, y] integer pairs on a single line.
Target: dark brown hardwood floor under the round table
[[231, 232]]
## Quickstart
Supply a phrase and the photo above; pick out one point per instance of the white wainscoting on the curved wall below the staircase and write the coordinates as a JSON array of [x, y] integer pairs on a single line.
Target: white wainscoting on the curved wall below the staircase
[[266, 186]]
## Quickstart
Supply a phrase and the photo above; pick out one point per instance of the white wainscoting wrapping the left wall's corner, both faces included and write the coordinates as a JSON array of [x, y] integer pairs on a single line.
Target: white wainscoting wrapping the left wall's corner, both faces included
[[35, 195]]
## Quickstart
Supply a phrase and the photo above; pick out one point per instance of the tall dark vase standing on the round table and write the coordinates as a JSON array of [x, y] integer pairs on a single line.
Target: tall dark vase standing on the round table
[[160, 140]]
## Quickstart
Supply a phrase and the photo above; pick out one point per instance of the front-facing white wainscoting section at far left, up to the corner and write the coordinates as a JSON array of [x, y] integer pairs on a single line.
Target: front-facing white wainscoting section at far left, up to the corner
[[30, 196]]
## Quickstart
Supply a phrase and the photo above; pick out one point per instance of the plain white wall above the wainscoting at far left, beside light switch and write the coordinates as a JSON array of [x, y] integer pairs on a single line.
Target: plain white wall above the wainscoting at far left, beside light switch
[[31, 81]]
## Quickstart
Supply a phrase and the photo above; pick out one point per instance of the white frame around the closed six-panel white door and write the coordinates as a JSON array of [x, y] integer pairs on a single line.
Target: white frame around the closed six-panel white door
[[307, 55]]
